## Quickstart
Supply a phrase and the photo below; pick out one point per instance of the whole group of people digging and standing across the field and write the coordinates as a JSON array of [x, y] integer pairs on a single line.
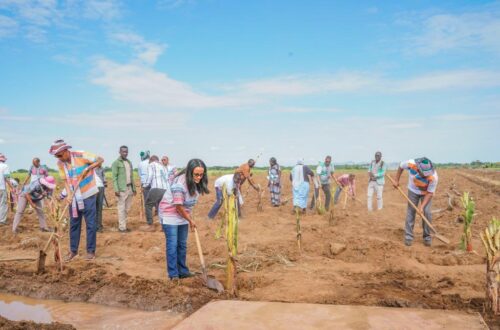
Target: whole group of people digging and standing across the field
[[174, 193]]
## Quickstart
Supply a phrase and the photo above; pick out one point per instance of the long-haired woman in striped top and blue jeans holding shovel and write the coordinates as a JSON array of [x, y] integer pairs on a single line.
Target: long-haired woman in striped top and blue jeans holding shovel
[[176, 209]]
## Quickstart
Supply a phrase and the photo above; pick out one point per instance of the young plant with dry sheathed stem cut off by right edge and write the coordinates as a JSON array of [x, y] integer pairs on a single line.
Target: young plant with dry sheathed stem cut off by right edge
[[491, 241]]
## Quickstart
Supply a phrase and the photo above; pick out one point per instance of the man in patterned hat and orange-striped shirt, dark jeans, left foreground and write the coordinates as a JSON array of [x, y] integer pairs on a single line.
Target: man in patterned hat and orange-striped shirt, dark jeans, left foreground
[[73, 166]]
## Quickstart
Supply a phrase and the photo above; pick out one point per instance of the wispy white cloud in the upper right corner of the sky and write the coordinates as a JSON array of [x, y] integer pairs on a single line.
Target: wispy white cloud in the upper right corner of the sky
[[473, 30]]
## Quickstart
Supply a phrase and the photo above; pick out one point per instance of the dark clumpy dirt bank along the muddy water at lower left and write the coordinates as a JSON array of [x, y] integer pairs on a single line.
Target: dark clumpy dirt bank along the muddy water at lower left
[[89, 282]]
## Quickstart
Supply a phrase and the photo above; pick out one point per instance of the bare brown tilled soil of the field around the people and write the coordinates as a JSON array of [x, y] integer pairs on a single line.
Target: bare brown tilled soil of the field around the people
[[359, 259]]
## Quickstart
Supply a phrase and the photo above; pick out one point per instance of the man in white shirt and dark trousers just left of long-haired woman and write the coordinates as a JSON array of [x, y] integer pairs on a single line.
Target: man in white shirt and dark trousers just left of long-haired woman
[[158, 183]]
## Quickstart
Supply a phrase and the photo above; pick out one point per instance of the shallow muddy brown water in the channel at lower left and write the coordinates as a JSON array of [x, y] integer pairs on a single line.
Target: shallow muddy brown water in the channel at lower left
[[84, 315]]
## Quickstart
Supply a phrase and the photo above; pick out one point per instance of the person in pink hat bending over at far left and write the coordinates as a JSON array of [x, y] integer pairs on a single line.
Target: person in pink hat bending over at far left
[[34, 194]]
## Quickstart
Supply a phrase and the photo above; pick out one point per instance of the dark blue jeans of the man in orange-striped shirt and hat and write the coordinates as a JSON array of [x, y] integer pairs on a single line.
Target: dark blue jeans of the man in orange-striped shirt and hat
[[89, 212]]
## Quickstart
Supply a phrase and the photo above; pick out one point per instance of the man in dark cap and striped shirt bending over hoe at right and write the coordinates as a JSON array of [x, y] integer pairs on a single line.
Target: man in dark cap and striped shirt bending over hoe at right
[[422, 184]]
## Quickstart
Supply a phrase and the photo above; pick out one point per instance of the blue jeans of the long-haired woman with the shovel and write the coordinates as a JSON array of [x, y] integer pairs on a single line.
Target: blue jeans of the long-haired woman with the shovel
[[176, 249]]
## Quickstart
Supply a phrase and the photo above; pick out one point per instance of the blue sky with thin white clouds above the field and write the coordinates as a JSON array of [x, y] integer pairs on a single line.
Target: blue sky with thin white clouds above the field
[[227, 80]]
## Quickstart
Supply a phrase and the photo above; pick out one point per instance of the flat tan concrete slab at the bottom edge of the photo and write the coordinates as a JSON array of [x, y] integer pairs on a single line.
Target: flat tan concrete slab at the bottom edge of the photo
[[255, 315]]
